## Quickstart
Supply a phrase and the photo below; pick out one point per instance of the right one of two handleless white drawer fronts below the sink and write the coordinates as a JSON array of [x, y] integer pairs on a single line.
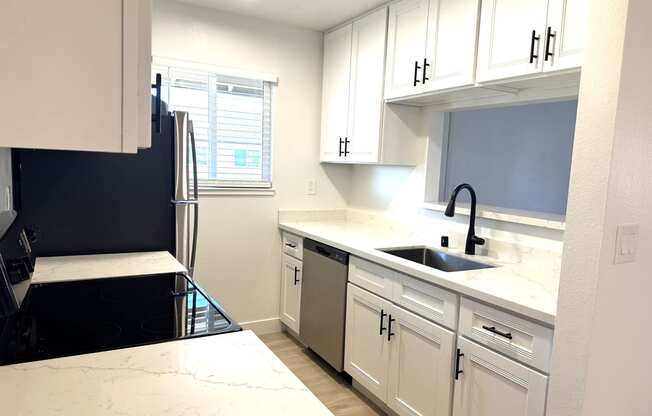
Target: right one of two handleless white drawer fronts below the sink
[[428, 300]]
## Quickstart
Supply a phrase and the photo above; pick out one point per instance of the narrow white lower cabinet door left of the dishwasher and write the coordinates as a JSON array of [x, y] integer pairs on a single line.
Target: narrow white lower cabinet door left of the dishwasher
[[291, 292]]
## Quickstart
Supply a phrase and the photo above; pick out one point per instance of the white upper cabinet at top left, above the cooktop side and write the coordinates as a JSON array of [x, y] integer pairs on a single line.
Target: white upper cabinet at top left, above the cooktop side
[[77, 81]]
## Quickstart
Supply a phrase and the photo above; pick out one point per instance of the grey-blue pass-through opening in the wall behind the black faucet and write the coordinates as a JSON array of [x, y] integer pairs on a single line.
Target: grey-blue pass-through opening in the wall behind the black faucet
[[517, 158]]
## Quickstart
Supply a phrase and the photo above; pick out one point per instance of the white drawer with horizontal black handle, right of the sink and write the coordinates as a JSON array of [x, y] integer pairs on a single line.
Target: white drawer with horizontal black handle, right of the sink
[[520, 339]]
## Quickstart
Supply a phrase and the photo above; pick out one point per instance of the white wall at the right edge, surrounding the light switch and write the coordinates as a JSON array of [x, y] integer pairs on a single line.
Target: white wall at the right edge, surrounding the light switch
[[601, 359]]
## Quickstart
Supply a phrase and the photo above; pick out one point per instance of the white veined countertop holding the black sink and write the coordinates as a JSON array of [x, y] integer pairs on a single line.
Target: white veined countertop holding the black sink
[[507, 286]]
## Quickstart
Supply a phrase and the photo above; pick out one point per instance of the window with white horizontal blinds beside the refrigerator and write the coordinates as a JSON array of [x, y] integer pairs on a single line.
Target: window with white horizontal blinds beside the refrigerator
[[232, 118]]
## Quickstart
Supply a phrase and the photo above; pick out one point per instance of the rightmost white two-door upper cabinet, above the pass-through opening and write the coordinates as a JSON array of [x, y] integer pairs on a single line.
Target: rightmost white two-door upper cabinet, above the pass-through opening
[[524, 37]]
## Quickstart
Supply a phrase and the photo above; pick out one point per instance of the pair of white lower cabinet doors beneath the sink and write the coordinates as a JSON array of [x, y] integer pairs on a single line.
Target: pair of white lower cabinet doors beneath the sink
[[401, 358]]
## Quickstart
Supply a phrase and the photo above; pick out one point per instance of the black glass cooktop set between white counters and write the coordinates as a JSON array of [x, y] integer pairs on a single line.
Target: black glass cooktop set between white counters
[[61, 319]]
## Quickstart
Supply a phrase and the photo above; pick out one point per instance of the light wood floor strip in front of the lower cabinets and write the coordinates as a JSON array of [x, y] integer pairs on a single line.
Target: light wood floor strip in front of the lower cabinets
[[324, 382]]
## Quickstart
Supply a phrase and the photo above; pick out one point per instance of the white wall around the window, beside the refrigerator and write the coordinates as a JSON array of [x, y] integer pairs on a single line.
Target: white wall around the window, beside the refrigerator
[[239, 245]]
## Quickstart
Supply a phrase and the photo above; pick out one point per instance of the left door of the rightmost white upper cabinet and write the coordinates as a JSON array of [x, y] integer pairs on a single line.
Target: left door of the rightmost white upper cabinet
[[506, 39]]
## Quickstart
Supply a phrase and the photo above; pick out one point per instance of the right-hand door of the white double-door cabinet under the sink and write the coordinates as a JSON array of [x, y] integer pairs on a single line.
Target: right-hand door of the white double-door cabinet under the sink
[[421, 361]]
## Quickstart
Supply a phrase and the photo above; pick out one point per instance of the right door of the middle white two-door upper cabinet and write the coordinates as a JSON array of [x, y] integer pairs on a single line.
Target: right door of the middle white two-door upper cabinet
[[451, 47]]
